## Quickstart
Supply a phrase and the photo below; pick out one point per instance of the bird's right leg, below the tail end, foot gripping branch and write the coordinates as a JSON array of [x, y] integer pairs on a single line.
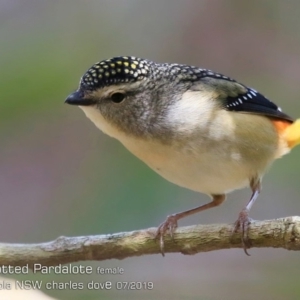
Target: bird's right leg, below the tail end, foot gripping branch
[[243, 221]]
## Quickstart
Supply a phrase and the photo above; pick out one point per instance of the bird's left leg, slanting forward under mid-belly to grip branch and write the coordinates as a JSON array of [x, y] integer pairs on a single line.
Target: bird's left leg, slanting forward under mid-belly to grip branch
[[170, 224]]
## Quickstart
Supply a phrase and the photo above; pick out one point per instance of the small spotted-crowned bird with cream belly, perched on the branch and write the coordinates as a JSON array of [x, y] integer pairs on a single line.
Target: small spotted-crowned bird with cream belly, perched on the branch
[[196, 128]]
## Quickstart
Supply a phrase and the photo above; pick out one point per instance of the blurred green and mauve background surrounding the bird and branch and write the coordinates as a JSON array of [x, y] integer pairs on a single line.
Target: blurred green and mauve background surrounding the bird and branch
[[59, 175]]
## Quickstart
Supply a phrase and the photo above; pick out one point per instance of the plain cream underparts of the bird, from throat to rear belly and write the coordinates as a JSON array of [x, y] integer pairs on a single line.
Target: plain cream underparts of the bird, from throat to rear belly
[[214, 165]]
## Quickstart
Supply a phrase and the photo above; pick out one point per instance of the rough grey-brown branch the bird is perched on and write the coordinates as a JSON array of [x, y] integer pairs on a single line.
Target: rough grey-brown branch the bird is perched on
[[278, 233]]
